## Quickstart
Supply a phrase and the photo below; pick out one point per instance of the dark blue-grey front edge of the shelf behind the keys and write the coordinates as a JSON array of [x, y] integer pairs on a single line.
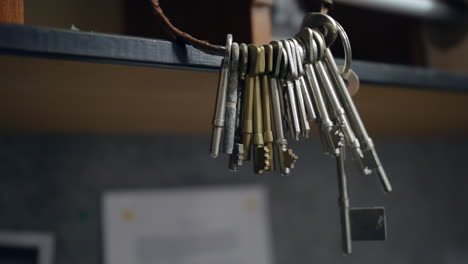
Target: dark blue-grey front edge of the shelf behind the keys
[[60, 44]]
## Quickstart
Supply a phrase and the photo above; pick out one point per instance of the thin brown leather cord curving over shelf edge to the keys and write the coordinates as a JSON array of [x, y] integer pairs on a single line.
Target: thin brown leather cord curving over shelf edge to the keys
[[177, 34]]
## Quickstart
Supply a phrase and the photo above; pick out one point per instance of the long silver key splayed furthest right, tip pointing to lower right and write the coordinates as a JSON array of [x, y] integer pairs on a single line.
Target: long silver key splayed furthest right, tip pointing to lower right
[[371, 159]]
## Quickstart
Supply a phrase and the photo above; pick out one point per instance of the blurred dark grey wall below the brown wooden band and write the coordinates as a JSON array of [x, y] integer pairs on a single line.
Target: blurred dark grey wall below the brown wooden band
[[54, 183]]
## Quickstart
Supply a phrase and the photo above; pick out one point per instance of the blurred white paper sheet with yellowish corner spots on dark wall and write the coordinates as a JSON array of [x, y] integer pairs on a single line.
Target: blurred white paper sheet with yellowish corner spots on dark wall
[[187, 226]]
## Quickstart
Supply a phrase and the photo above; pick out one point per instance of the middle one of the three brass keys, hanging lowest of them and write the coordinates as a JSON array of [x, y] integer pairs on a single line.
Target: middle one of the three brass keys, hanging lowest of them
[[261, 153]]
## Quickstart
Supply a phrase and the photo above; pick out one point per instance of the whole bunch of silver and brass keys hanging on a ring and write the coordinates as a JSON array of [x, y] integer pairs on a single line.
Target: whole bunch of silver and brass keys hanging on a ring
[[273, 93]]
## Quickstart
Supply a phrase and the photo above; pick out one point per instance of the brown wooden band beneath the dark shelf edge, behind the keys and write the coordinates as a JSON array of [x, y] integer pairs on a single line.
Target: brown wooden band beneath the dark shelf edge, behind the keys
[[60, 96]]
